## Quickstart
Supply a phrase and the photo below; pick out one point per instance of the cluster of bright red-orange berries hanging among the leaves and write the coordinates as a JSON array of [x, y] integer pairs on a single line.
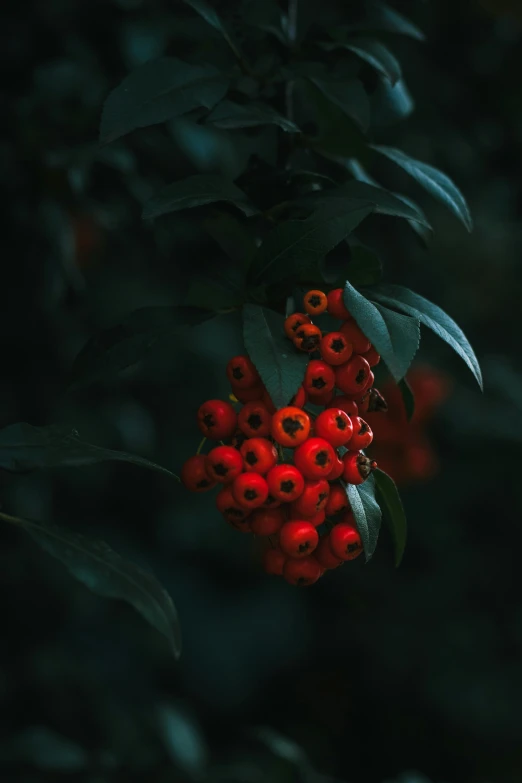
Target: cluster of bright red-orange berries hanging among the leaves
[[287, 498]]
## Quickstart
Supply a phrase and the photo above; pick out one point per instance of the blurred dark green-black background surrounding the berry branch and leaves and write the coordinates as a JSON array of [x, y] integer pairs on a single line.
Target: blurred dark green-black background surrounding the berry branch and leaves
[[376, 674]]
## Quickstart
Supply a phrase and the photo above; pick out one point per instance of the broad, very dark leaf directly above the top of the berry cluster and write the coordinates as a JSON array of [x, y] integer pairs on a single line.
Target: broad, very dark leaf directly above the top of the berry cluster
[[299, 246]]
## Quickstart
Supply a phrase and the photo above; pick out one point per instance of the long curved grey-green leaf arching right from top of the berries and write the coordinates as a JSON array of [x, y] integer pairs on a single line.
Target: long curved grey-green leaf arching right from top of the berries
[[433, 317]]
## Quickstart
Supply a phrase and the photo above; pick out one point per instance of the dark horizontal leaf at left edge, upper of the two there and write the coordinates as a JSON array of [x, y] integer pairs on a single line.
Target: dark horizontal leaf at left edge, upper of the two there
[[24, 448]]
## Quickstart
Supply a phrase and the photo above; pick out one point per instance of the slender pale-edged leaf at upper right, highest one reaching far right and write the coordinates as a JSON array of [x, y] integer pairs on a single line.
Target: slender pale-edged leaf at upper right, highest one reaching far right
[[434, 181]]
